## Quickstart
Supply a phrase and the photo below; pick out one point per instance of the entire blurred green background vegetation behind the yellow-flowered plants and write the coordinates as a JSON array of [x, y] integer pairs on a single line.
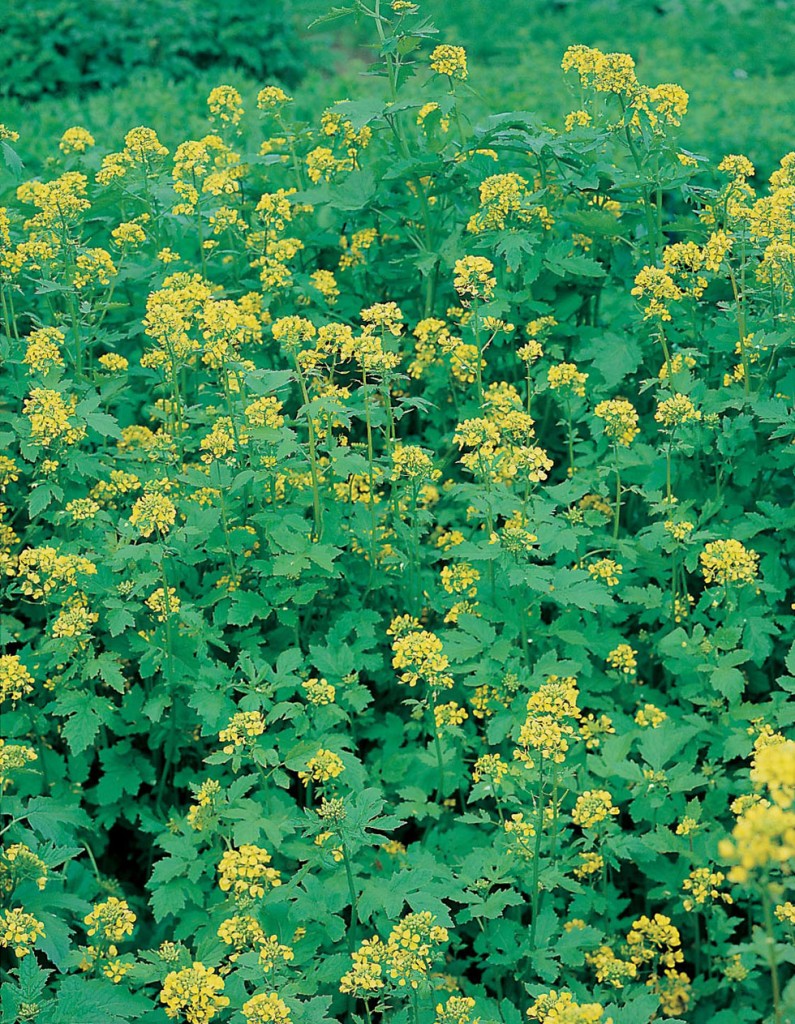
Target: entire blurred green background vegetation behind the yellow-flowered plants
[[104, 65]]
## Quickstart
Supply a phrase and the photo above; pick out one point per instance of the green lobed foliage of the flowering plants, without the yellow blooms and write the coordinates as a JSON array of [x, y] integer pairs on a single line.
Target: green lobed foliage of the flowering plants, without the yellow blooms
[[284, 577]]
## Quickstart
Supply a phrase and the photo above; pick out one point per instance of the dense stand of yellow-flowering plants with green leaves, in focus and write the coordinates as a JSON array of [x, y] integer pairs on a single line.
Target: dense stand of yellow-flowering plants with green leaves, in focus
[[397, 534]]
